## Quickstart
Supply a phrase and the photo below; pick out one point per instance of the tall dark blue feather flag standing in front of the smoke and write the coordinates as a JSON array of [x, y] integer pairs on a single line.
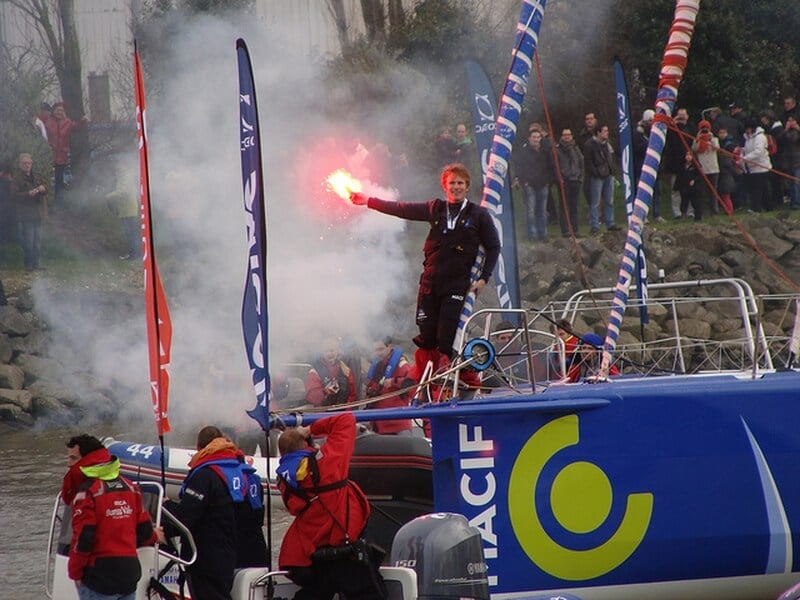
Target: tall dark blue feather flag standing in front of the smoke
[[254, 304]]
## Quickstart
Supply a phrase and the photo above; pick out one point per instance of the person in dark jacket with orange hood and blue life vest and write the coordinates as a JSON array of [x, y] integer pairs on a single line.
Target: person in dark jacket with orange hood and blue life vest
[[212, 495]]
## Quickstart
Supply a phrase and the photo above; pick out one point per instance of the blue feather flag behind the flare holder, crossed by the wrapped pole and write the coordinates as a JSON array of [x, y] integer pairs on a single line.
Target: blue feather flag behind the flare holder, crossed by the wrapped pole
[[498, 201]]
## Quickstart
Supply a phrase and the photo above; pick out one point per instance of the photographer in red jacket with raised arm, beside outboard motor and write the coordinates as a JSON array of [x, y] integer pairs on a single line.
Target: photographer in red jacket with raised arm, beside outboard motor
[[319, 550]]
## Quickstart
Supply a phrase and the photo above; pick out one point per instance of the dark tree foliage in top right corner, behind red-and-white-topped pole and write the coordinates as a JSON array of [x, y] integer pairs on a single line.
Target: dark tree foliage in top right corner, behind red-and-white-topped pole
[[740, 50]]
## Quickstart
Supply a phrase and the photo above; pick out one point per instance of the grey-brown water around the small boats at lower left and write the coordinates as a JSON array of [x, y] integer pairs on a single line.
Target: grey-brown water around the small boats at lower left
[[32, 465]]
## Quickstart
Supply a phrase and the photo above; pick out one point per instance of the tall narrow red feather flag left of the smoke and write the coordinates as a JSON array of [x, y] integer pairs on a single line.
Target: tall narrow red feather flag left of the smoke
[[159, 324]]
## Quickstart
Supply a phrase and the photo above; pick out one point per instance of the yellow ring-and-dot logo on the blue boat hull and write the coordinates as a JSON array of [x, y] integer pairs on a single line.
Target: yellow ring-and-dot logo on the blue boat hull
[[581, 497]]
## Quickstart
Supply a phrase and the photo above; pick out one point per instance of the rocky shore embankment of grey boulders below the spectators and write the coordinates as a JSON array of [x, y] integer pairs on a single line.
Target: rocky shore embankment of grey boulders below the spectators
[[34, 385]]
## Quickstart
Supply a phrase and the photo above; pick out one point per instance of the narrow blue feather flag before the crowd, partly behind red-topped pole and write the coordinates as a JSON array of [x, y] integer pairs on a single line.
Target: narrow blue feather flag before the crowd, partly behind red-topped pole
[[629, 177]]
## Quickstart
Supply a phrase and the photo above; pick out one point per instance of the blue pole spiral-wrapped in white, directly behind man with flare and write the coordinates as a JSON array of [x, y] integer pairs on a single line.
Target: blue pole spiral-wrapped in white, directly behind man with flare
[[505, 129]]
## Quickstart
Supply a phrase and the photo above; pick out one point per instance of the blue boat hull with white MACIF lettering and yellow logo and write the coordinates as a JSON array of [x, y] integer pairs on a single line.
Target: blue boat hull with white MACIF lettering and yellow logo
[[627, 482]]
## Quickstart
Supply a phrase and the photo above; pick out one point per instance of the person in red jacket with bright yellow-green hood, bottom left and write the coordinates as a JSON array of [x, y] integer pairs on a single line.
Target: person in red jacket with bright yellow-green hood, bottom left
[[108, 522]]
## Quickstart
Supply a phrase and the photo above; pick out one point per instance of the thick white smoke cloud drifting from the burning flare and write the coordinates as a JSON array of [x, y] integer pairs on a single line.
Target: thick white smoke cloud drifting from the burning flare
[[330, 273]]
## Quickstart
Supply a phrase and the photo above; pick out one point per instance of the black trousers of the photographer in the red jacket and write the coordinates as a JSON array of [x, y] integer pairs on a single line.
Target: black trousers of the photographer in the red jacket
[[355, 579]]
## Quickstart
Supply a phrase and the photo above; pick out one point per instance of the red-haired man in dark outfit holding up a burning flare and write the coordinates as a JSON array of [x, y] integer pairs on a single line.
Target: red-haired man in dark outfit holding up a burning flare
[[458, 228]]
